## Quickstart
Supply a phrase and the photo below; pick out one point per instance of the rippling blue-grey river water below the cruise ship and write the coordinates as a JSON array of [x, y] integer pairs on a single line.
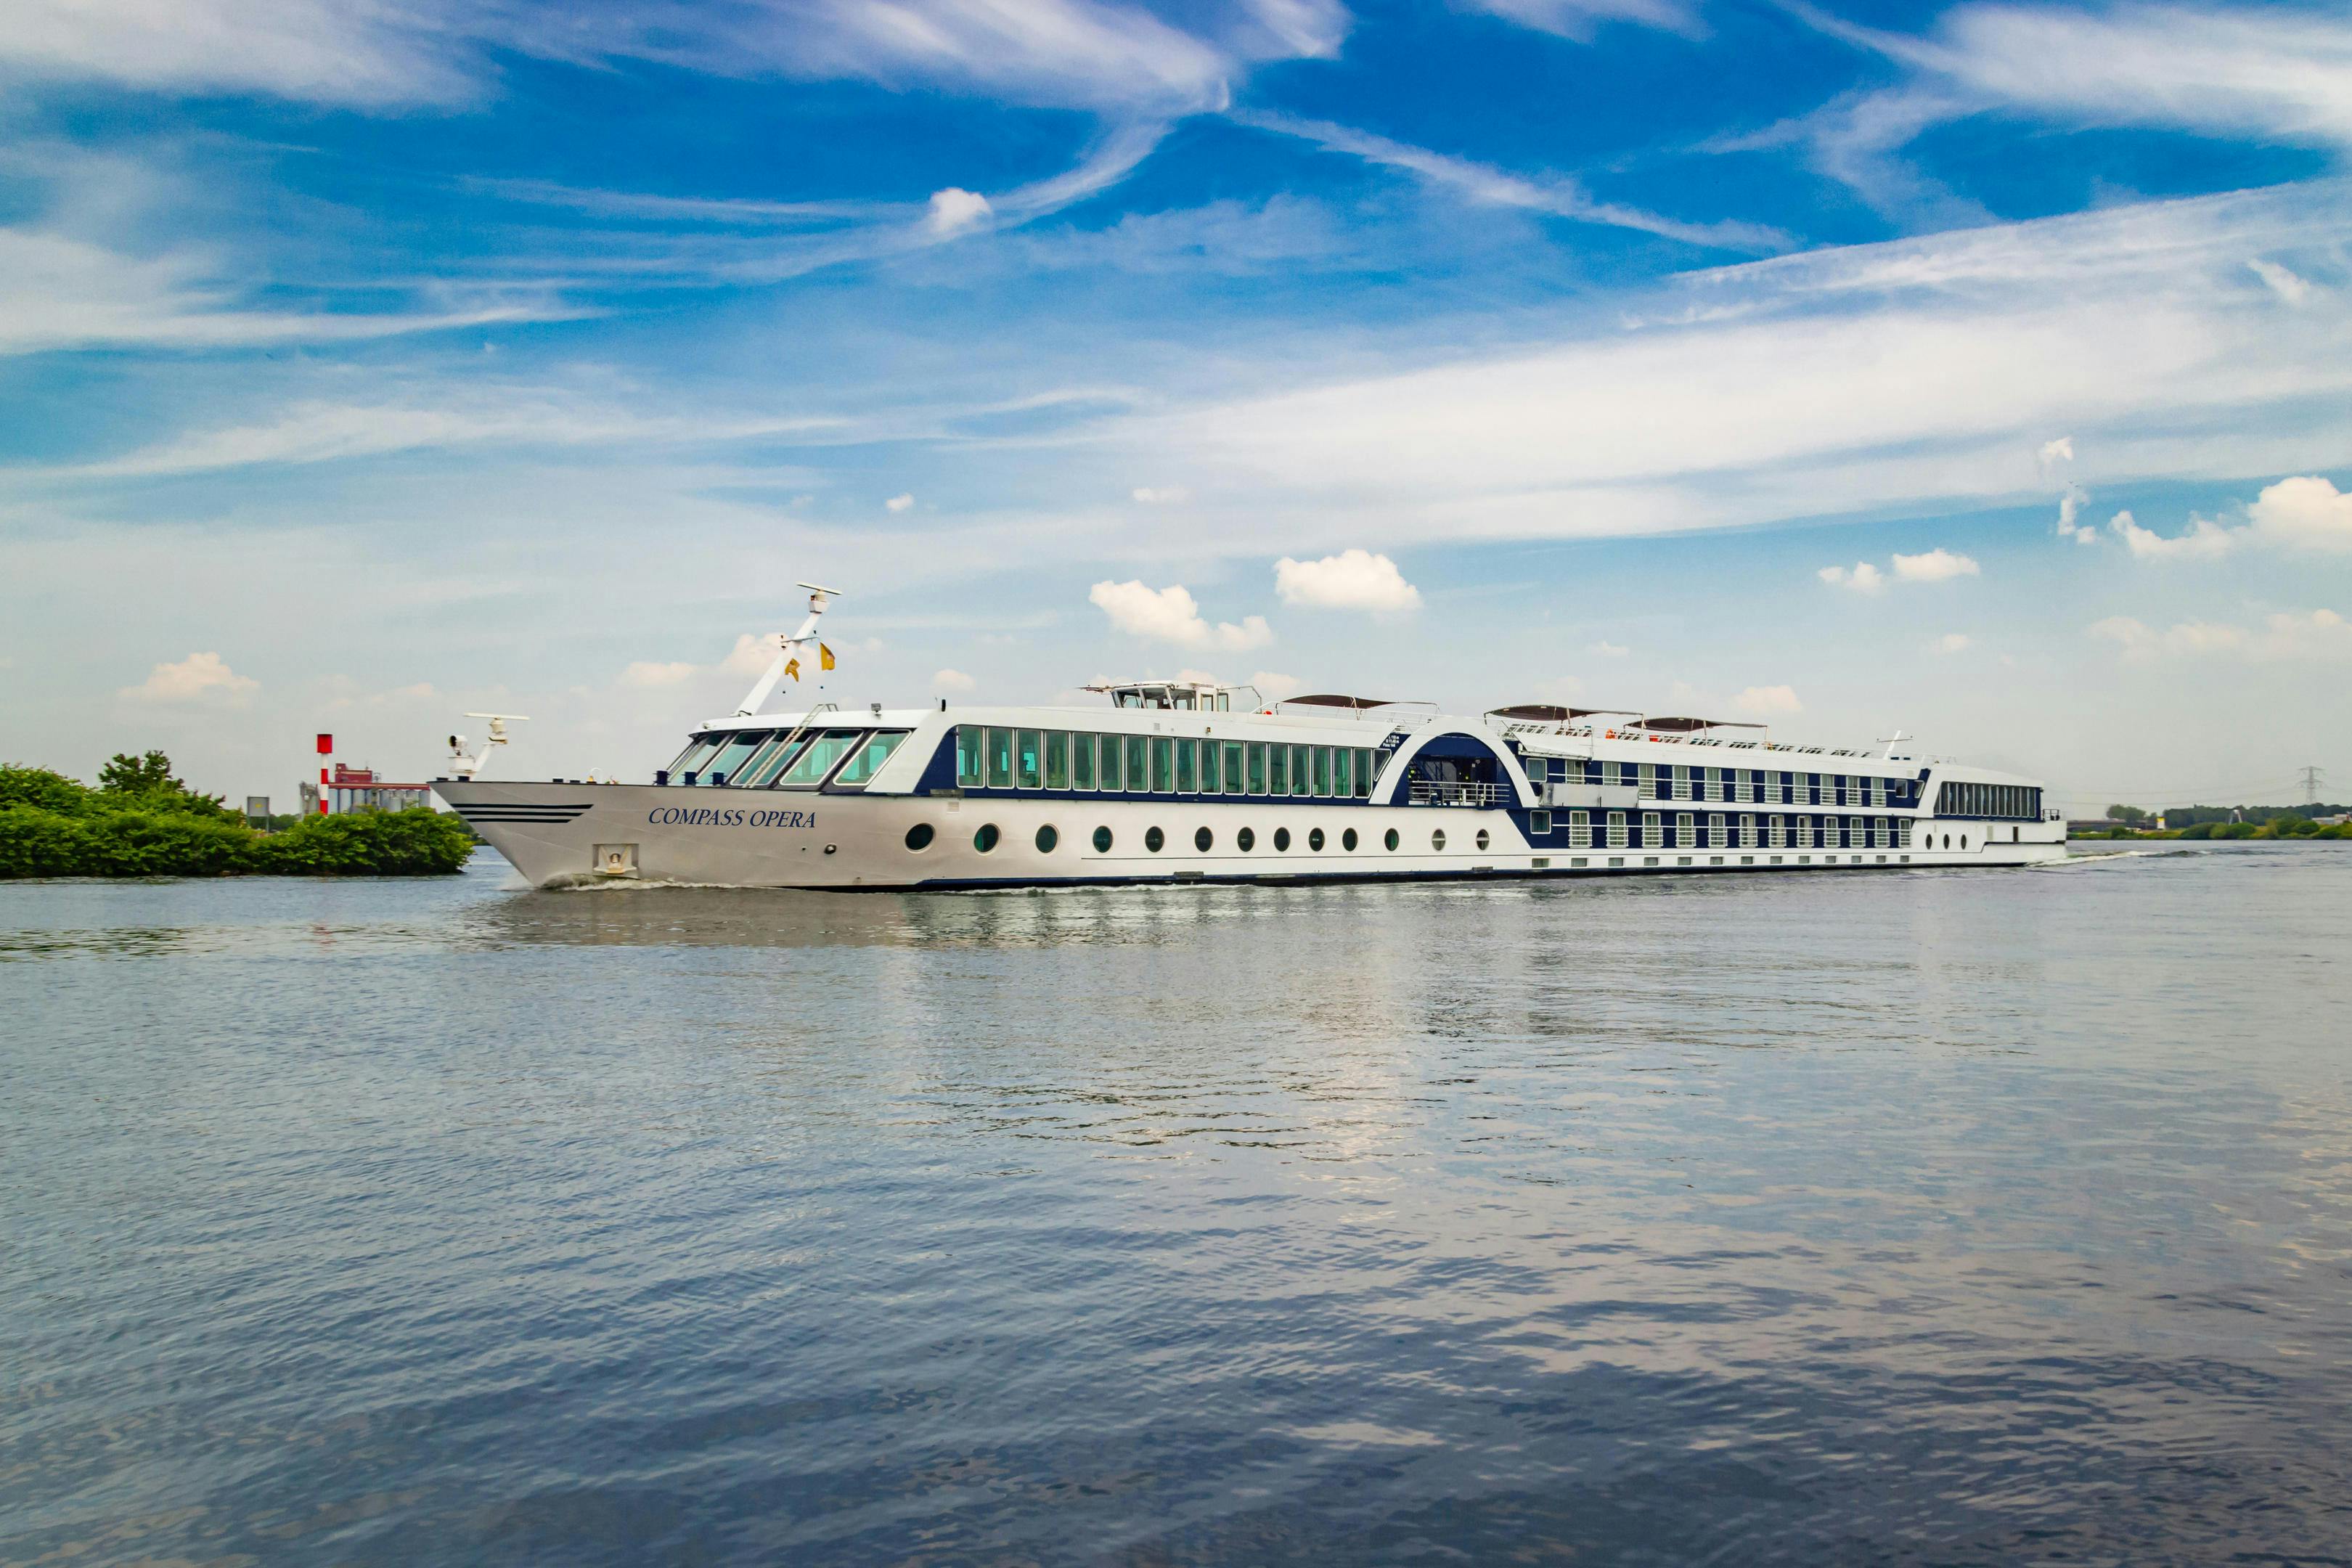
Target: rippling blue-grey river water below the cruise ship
[[1897, 1219]]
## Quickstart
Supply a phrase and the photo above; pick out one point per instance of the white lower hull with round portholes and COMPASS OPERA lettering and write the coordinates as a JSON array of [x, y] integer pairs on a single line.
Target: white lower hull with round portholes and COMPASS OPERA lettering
[[584, 833]]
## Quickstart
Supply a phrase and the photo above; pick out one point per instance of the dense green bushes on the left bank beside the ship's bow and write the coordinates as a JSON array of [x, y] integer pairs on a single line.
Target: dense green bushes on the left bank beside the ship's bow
[[142, 822]]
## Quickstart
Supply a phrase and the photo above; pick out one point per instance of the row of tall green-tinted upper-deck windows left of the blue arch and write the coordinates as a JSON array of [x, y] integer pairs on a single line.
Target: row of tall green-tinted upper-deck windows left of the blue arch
[[1158, 765]]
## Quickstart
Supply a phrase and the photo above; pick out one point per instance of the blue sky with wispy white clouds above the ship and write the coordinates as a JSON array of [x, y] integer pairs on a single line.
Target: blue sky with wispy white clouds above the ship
[[1768, 361]]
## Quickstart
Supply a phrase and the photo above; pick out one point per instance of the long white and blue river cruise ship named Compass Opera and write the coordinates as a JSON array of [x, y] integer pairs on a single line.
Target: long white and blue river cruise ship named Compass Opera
[[1198, 782]]
